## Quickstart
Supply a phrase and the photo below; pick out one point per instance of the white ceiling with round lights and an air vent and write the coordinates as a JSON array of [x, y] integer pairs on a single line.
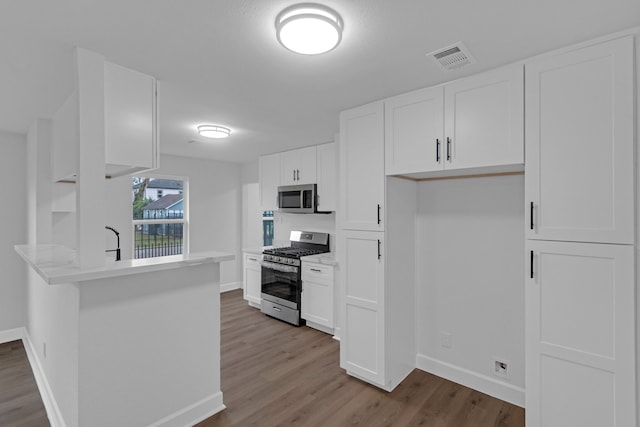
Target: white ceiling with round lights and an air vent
[[218, 61]]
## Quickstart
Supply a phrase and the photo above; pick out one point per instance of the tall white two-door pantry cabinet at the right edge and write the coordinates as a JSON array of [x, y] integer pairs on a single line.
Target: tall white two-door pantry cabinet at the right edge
[[580, 196]]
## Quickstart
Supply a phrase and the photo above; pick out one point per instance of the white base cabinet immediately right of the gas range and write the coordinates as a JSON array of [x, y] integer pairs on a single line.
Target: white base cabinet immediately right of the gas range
[[318, 299]]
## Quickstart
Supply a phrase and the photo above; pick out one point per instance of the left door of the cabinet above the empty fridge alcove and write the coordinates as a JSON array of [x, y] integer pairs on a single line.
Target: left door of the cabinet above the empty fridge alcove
[[414, 126]]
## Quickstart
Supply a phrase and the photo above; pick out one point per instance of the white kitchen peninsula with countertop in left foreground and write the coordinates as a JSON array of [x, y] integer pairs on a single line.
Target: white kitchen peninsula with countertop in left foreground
[[134, 342]]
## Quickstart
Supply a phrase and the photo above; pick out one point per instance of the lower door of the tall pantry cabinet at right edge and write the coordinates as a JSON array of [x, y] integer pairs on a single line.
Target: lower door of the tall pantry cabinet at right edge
[[580, 335]]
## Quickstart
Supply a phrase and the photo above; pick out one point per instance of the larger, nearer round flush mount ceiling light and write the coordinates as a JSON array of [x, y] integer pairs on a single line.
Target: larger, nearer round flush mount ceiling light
[[309, 28]]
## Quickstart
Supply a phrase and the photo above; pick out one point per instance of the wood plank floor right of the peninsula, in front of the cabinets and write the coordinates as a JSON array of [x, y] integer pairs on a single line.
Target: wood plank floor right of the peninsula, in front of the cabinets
[[274, 374]]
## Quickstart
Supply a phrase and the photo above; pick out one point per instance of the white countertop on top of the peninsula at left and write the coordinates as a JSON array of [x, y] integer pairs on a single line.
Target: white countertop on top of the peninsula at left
[[56, 264]]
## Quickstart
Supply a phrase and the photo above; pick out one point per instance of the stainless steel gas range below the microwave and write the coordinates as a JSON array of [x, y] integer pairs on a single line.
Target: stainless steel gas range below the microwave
[[281, 275]]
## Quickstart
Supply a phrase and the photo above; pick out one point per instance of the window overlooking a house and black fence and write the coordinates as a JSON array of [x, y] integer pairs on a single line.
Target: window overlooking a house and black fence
[[159, 220]]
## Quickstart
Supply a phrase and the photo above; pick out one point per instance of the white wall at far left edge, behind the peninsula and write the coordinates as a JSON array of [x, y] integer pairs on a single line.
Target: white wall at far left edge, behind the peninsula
[[14, 188]]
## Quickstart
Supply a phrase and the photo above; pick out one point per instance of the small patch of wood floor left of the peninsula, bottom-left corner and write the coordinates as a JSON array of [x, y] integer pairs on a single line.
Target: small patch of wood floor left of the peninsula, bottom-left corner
[[20, 402]]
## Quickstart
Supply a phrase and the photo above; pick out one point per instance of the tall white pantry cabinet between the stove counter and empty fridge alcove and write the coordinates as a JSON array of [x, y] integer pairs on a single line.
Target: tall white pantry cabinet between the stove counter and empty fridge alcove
[[376, 233]]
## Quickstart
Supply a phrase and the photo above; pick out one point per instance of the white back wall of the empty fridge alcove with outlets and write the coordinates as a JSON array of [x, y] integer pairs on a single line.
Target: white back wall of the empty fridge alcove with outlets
[[470, 276]]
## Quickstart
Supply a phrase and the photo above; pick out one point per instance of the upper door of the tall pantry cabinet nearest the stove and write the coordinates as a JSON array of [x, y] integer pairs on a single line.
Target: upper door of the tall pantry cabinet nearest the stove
[[362, 167]]
